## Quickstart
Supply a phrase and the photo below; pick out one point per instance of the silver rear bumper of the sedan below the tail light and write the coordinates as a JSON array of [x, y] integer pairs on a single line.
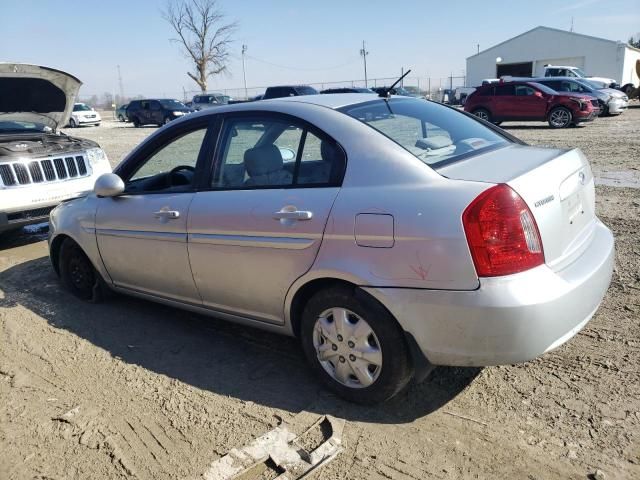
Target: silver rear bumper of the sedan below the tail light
[[508, 319]]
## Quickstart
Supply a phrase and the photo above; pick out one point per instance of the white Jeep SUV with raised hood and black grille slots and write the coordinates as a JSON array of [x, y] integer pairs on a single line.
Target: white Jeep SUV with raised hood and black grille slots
[[39, 166]]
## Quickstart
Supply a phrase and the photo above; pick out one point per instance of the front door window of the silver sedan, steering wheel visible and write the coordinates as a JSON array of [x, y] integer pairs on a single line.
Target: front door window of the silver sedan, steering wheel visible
[[171, 166]]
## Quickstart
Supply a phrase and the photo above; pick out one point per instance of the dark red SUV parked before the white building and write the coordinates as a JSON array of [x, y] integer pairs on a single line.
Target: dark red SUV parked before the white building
[[521, 101]]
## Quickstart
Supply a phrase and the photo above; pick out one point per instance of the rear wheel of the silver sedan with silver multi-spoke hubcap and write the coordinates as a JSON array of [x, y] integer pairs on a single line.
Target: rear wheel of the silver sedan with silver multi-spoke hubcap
[[389, 368]]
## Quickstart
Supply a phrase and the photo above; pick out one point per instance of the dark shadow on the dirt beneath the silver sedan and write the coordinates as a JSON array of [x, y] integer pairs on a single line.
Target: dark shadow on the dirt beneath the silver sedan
[[211, 354]]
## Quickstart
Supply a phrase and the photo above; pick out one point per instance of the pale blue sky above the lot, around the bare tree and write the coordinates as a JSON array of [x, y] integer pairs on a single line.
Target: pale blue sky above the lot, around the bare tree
[[288, 41]]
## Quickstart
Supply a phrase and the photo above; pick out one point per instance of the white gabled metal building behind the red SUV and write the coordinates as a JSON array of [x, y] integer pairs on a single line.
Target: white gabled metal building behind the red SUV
[[528, 53]]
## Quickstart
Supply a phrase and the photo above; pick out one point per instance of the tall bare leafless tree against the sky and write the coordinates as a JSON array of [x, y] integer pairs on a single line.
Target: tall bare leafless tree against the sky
[[203, 34]]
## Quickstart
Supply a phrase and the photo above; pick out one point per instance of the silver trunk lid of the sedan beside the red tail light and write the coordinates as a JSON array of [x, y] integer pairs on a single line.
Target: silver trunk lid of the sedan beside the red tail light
[[557, 185]]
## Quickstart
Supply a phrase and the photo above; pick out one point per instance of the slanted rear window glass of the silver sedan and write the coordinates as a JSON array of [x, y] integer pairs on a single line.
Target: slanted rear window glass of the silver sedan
[[432, 132]]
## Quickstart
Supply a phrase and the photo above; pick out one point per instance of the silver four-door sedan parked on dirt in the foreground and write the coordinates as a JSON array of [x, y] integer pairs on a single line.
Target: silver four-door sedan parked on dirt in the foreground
[[389, 234]]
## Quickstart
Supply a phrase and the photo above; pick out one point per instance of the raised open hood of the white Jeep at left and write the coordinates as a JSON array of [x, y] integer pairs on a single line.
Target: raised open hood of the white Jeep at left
[[31, 93]]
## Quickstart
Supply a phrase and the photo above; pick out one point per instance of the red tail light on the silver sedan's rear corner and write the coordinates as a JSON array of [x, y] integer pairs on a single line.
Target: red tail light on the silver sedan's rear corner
[[502, 233]]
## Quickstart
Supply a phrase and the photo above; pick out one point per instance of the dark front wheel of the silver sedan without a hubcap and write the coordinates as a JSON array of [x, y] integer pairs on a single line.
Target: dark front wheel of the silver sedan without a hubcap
[[78, 274]]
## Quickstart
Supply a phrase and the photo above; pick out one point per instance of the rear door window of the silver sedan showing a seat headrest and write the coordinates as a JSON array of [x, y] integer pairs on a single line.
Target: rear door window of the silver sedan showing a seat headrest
[[275, 153]]
